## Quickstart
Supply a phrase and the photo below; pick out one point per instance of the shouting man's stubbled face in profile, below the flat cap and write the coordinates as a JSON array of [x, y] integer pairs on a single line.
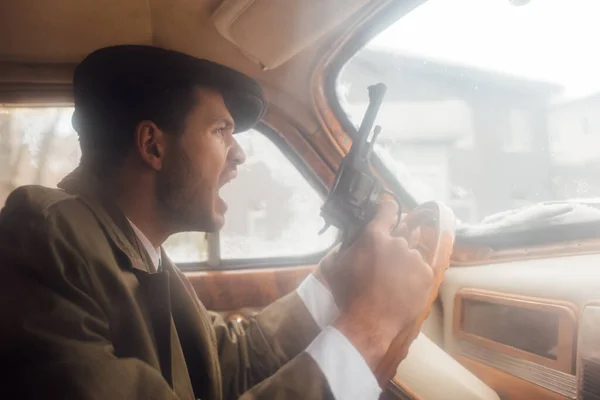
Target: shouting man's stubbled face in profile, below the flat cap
[[197, 164]]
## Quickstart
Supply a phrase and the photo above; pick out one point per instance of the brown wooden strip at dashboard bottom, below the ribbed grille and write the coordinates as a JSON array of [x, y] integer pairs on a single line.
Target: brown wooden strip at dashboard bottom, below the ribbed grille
[[506, 385]]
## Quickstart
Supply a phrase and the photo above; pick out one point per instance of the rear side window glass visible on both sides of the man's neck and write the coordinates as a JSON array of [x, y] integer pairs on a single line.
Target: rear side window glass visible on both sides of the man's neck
[[39, 146]]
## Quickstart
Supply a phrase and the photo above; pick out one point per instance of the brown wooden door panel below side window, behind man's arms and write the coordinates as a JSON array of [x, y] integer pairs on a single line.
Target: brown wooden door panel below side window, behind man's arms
[[234, 290]]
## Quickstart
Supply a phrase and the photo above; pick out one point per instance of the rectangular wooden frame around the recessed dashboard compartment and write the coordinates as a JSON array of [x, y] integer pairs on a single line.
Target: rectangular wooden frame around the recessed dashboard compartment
[[567, 335]]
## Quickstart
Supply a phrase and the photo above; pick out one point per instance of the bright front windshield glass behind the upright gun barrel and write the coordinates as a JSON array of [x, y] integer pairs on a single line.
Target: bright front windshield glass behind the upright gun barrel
[[490, 105]]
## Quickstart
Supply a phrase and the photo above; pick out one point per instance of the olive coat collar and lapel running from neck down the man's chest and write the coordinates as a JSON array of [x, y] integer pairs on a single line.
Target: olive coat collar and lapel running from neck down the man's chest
[[180, 322]]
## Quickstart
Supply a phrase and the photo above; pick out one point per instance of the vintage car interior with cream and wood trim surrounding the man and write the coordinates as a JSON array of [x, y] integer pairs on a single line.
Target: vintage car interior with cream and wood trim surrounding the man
[[492, 112]]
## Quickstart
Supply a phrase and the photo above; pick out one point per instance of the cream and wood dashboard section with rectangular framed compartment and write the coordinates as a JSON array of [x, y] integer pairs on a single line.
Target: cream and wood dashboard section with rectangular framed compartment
[[544, 297]]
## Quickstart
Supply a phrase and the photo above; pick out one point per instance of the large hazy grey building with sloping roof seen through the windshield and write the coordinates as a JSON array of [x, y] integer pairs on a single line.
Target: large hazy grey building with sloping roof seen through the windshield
[[480, 139]]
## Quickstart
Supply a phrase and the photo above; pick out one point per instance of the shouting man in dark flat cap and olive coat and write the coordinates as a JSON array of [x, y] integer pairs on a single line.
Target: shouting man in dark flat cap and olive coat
[[92, 308]]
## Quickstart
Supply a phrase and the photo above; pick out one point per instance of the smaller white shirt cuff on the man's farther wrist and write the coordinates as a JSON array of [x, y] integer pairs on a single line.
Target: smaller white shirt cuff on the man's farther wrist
[[318, 300]]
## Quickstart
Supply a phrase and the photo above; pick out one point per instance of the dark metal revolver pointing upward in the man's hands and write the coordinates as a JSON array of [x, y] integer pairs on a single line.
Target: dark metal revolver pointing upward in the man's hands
[[354, 197]]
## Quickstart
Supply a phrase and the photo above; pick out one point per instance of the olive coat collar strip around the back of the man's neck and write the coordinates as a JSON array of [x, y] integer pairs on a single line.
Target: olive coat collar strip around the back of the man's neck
[[85, 185]]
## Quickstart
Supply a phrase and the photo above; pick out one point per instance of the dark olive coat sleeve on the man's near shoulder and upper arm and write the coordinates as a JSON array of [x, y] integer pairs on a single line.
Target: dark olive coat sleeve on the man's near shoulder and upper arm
[[55, 336]]
